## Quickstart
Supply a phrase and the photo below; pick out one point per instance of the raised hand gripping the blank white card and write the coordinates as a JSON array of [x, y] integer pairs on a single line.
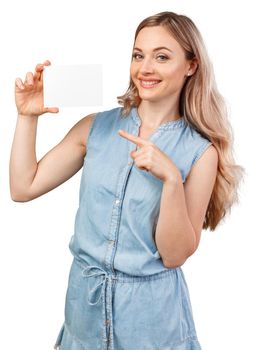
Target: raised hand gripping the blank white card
[[29, 95]]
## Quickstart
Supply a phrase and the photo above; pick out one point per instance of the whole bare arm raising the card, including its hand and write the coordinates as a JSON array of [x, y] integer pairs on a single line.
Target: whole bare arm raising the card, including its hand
[[29, 179]]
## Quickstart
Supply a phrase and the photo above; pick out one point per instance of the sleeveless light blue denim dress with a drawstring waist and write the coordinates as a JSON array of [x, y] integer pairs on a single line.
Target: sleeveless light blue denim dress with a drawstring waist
[[120, 296]]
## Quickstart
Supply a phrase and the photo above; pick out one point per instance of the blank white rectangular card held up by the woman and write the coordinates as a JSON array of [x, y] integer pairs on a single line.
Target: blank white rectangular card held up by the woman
[[73, 85]]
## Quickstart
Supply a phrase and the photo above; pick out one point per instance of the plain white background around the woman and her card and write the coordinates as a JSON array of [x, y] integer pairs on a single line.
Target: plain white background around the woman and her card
[[34, 256]]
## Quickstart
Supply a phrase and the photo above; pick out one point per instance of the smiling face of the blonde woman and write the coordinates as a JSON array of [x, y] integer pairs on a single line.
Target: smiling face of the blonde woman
[[158, 66]]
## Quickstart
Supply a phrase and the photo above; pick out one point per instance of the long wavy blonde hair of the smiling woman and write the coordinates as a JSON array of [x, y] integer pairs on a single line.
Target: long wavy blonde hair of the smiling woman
[[203, 107]]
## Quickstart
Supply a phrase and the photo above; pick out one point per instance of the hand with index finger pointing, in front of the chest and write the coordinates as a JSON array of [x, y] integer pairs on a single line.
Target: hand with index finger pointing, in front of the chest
[[150, 158]]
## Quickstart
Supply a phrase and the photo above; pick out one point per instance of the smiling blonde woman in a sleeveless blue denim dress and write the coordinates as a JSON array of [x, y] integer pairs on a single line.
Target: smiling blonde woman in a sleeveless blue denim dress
[[156, 171]]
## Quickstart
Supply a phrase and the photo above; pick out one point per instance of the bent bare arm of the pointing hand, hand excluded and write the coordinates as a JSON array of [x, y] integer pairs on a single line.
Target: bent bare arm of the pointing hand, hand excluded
[[183, 208]]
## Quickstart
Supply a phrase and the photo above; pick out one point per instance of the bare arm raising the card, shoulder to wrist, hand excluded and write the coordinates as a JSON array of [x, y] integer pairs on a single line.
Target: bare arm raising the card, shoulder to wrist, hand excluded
[[30, 179]]
